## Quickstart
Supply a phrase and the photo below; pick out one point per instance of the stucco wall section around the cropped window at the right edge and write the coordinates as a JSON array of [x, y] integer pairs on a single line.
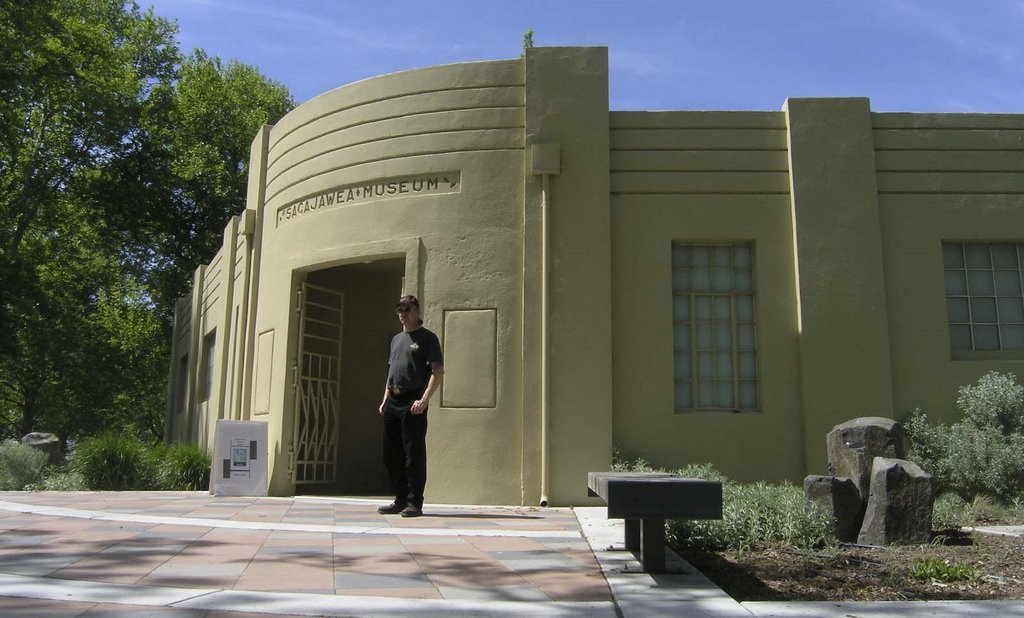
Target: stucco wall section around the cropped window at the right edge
[[952, 178]]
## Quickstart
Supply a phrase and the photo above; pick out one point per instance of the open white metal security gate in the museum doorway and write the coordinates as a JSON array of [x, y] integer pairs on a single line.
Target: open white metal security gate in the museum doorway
[[318, 394]]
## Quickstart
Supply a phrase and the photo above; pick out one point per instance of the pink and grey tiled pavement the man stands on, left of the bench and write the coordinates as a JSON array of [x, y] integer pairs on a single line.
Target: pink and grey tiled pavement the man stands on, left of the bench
[[309, 546]]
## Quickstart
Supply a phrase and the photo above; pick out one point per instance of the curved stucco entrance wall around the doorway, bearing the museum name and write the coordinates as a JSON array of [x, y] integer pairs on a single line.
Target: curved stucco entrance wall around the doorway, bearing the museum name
[[462, 248]]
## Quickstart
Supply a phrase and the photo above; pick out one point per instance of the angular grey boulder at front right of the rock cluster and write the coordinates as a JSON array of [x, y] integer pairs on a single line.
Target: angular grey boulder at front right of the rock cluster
[[900, 506]]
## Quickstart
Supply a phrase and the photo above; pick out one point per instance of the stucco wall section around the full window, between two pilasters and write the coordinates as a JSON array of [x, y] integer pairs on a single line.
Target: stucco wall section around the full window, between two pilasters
[[703, 178]]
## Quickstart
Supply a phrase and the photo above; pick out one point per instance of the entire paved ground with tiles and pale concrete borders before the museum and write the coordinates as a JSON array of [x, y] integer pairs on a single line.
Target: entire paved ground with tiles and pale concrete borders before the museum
[[189, 554]]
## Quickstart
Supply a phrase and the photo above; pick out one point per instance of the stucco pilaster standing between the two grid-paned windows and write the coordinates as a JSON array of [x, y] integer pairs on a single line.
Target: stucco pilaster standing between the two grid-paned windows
[[844, 327]]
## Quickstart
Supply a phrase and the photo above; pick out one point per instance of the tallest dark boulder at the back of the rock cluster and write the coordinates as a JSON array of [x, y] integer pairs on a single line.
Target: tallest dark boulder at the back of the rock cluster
[[854, 446]]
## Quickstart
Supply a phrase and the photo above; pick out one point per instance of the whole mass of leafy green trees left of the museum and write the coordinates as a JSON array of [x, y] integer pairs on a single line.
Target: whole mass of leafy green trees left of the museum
[[120, 164]]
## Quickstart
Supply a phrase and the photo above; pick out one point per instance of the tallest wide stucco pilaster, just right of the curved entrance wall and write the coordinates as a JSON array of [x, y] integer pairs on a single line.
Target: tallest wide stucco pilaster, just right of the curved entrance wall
[[568, 105]]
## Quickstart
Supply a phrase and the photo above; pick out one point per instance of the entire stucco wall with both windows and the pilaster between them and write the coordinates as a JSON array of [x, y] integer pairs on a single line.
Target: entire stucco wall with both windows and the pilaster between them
[[848, 268]]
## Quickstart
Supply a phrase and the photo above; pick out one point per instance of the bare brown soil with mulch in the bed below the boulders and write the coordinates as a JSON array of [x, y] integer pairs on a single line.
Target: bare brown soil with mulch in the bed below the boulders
[[859, 573]]
